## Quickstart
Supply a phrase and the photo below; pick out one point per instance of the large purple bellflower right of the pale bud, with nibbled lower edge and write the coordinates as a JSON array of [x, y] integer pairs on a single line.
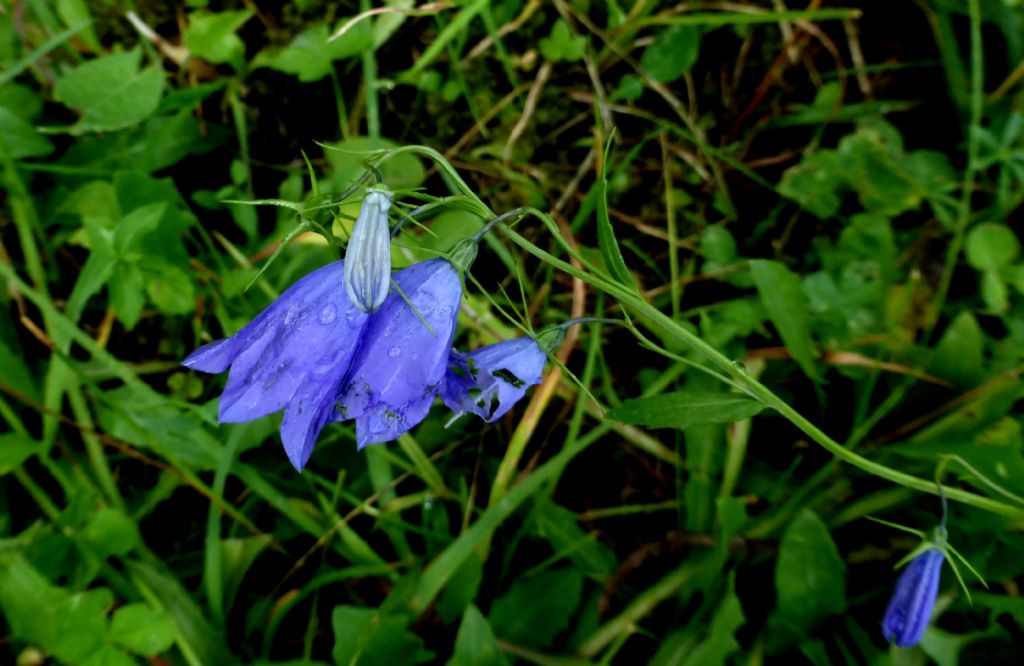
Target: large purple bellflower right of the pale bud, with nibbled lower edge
[[401, 365]]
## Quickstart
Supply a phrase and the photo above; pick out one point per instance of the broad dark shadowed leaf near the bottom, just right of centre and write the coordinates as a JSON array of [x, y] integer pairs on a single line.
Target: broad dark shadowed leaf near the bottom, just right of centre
[[534, 611]]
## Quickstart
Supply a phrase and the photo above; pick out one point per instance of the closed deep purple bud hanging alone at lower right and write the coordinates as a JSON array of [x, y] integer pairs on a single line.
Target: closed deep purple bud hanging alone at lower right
[[911, 608]]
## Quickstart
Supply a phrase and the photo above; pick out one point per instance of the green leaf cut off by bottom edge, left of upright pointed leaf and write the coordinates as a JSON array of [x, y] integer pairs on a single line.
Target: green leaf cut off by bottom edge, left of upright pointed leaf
[[369, 638]]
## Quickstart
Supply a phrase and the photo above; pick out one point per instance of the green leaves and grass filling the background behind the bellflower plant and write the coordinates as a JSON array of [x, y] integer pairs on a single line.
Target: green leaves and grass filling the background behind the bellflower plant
[[873, 152]]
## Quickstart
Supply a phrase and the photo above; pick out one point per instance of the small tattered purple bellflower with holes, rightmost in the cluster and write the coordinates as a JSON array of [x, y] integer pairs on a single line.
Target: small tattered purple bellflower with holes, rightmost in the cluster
[[503, 371]]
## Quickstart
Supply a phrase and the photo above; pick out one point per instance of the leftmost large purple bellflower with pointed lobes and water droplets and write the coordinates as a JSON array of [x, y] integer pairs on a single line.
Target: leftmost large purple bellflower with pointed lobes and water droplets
[[293, 355]]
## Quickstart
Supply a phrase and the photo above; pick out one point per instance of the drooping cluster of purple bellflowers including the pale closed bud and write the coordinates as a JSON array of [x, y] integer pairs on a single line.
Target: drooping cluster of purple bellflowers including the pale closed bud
[[342, 345]]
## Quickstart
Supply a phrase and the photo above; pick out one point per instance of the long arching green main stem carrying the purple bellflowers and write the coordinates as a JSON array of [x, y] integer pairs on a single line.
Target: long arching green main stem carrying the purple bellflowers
[[656, 319]]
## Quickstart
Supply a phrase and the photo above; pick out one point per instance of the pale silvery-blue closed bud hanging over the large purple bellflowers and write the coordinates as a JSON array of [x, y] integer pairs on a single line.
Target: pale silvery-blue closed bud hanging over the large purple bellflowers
[[368, 258]]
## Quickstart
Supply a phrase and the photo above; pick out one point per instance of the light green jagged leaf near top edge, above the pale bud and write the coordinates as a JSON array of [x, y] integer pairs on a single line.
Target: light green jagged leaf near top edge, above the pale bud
[[311, 57]]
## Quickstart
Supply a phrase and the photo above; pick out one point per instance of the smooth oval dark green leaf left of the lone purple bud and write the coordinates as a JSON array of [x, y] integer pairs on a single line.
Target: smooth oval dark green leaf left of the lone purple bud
[[810, 578]]
